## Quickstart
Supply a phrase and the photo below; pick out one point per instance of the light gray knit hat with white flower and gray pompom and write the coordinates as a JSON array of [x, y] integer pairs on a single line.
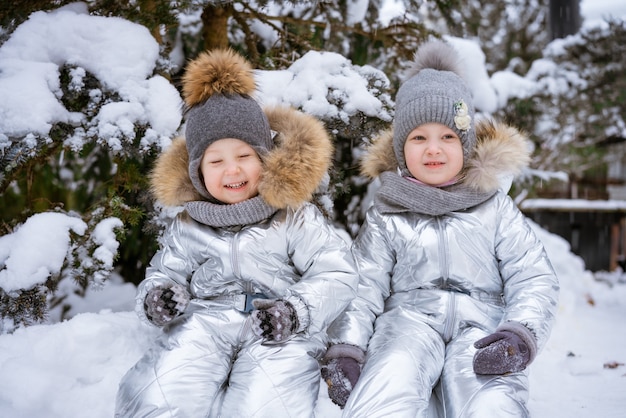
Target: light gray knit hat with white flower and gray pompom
[[434, 92]]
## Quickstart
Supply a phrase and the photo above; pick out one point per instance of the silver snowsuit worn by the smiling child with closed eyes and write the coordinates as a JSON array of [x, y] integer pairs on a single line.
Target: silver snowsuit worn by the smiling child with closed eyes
[[208, 363]]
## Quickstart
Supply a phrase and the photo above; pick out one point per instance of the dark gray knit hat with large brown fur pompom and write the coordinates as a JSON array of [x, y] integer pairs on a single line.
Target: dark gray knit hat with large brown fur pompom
[[218, 88]]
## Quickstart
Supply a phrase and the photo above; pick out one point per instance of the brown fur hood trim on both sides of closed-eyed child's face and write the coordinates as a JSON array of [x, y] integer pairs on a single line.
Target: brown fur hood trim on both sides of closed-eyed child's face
[[292, 171]]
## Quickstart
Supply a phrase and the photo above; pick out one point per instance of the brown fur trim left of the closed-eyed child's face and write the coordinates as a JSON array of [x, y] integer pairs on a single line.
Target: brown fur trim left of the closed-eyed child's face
[[169, 179]]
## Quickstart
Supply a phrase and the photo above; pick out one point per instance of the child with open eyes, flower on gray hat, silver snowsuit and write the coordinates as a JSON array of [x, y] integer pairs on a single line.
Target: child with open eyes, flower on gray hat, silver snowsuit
[[456, 294]]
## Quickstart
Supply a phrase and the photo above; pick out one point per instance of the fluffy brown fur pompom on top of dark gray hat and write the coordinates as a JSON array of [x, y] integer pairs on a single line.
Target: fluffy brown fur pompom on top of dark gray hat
[[217, 72]]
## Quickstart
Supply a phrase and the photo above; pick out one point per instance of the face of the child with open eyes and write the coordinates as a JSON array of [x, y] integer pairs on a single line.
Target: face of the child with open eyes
[[433, 153]]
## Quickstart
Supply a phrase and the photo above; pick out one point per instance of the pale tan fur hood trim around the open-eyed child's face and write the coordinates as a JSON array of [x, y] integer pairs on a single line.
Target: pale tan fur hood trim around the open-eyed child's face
[[500, 150]]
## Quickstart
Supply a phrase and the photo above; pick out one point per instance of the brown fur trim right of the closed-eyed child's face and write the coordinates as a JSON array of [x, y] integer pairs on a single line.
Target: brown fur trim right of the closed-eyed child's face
[[295, 168]]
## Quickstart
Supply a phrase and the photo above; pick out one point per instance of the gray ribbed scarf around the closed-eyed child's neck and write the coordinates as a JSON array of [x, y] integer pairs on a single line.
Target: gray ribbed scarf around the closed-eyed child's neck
[[248, 212]]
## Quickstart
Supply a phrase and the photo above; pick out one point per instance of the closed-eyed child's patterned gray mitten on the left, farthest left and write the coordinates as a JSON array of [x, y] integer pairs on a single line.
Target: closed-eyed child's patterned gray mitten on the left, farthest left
[[164, 303]]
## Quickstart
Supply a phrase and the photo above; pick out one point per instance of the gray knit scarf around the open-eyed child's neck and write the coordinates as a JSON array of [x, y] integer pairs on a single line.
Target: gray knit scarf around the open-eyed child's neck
[[397, 194]]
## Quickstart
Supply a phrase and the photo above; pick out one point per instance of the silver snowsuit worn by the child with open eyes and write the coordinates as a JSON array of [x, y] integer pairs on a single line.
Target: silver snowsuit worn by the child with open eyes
[[430, 286]]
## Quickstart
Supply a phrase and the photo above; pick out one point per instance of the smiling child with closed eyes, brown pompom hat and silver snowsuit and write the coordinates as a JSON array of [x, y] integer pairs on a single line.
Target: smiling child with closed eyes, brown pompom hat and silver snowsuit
[[250, 274]]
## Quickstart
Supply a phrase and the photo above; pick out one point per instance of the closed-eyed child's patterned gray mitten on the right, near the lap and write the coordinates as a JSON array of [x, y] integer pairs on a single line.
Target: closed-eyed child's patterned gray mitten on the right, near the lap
[[274, 320]]
